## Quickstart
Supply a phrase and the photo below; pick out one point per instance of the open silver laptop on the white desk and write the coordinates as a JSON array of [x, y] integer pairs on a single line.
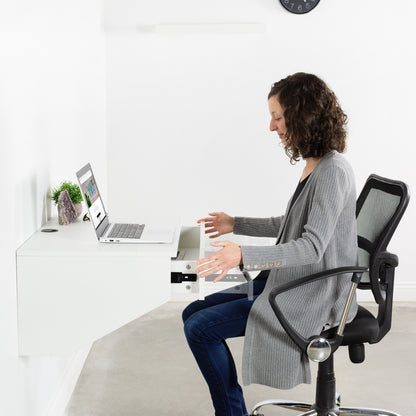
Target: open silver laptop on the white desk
[[116, 233]]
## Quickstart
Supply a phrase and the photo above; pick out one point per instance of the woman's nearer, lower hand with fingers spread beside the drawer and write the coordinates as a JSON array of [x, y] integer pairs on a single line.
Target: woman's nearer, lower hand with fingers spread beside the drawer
[[221, 261]]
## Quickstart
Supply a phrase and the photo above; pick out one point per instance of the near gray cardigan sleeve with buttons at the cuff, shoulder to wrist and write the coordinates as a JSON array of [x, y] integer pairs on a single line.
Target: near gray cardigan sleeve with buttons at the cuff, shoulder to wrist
[[326, 203]]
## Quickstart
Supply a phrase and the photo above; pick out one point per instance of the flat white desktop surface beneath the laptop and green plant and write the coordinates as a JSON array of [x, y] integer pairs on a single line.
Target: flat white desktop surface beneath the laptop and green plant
[[79, 239]]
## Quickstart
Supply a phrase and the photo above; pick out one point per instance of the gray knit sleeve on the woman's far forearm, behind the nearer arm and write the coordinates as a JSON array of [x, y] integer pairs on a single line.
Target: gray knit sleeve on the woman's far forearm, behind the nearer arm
[[257, 227]]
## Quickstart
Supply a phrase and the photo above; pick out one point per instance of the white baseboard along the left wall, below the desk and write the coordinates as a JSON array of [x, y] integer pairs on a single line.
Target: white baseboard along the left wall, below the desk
[[58, 403]]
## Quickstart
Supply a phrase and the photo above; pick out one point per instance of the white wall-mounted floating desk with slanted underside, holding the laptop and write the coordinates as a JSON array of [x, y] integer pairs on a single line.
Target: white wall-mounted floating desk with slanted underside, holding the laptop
[[73, 290]]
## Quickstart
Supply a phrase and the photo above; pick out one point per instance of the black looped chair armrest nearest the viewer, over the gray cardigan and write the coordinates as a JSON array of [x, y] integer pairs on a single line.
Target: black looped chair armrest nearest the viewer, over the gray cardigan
[[297, 338]]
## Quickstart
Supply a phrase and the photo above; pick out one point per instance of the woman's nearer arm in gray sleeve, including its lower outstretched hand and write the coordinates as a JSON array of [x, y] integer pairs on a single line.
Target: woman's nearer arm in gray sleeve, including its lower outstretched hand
[[332, 191]]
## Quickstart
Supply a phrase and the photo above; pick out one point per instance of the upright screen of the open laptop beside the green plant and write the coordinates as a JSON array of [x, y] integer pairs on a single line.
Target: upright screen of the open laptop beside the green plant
[[91, 195]]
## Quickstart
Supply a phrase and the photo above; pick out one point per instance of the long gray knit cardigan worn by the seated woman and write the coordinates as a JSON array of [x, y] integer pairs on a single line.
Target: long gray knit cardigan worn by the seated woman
[[319, 232]]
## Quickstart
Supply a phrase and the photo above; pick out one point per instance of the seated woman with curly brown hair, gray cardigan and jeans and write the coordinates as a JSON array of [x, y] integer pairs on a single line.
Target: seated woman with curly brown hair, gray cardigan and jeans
[[317, 232]]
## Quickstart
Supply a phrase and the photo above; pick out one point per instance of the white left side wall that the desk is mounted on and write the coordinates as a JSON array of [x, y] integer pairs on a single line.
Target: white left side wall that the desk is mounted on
[[52, 110]]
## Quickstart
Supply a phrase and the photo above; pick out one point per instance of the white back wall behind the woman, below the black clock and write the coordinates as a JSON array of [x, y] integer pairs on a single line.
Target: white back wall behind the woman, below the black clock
[[187, 116]]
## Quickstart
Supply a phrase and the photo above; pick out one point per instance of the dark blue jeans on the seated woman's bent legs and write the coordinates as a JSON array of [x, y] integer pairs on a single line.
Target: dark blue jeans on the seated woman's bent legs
[[207, 324]]
